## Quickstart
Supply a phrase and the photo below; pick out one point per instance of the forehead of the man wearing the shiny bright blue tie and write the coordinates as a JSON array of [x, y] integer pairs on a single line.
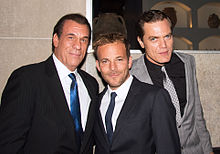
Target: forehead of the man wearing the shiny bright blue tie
[[73, 26]]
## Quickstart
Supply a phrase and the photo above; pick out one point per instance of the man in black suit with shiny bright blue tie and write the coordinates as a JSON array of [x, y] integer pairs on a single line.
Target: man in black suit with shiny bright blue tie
[[46, 108]]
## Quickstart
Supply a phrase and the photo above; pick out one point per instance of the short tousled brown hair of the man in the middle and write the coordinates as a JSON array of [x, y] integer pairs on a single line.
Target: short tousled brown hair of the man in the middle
[[108, 38]]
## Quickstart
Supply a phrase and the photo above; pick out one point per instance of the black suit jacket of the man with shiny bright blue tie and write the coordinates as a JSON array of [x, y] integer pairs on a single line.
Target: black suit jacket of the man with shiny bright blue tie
[[34, 115]]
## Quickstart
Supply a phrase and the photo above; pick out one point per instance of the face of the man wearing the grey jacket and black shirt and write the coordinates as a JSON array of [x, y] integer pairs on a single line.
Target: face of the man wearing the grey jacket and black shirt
[[157, 41]]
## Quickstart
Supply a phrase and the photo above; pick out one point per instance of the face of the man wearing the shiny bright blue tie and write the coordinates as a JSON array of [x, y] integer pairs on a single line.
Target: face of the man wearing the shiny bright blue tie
[[71, 46]]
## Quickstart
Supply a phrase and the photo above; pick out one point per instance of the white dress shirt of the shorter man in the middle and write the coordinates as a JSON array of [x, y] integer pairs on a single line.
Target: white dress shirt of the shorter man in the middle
[[121, 92]]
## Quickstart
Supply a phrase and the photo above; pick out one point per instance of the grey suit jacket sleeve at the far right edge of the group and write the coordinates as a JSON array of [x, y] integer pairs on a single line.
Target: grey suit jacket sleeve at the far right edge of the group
[[200, 121]]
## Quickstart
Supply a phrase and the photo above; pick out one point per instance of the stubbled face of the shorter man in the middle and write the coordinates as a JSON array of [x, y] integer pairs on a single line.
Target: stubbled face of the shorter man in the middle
[[113, 64]]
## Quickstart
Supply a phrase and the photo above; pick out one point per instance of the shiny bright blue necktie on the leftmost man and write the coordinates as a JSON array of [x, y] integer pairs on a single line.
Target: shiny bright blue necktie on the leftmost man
[[75, 107]]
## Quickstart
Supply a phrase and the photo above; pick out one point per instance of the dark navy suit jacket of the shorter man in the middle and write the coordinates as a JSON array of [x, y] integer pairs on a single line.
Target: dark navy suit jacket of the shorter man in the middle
[[146, 124]]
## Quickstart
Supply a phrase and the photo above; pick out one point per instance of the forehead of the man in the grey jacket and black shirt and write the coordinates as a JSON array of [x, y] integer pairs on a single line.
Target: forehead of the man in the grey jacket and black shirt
[[157, 28]]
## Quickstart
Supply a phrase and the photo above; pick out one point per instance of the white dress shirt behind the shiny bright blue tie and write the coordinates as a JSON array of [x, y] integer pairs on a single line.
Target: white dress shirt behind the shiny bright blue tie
[[84, 98]]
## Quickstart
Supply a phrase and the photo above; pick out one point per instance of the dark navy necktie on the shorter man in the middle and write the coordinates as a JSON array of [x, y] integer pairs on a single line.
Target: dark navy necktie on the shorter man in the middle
[[108, 117]]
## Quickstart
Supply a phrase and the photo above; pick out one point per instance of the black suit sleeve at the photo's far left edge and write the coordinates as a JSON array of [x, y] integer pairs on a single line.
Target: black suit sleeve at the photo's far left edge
[[15, 113]]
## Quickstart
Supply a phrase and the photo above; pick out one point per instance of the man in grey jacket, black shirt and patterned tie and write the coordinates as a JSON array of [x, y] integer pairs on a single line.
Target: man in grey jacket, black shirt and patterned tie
[[161, 64]]
